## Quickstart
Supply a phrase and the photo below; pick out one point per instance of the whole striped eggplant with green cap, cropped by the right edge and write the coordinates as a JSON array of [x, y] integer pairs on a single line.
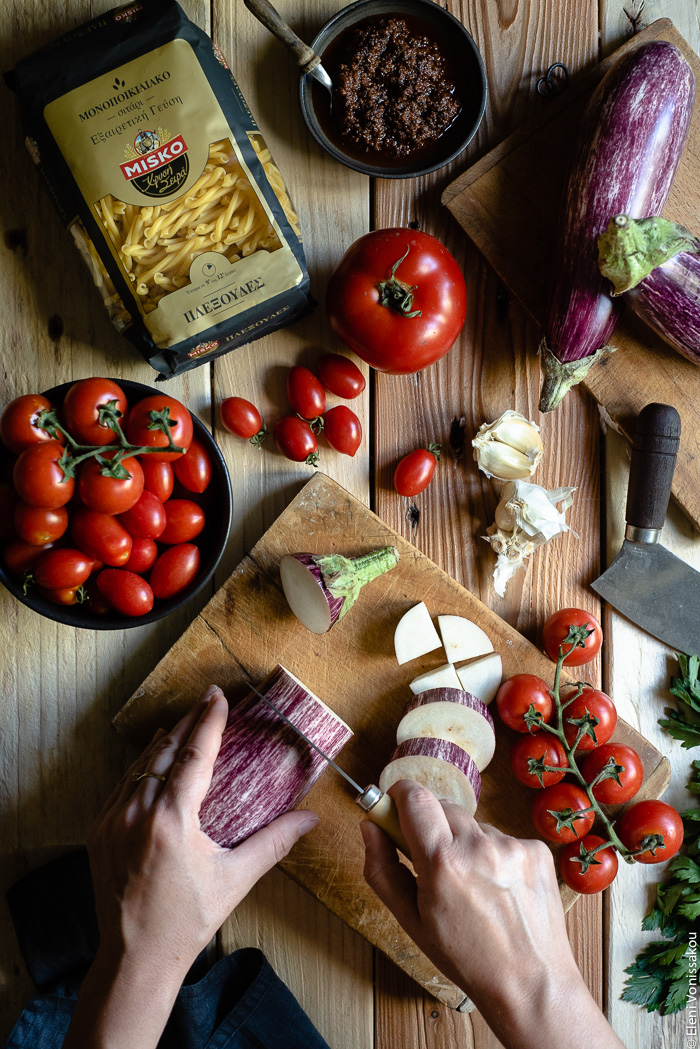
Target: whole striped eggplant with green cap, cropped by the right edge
[[655, 266]]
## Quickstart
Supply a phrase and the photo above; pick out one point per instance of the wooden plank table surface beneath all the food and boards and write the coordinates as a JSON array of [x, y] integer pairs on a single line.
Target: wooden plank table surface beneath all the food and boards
[[61, 688]]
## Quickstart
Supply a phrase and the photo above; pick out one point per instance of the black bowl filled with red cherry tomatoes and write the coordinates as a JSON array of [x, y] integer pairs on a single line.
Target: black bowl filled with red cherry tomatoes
[[140, 527]]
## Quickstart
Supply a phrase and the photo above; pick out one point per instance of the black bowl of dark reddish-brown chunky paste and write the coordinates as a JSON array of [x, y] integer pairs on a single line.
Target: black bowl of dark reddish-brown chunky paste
[[410, 89]]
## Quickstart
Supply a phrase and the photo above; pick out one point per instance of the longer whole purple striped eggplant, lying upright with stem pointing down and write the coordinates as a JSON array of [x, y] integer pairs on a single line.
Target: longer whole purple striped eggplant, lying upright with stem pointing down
[[628, 151]]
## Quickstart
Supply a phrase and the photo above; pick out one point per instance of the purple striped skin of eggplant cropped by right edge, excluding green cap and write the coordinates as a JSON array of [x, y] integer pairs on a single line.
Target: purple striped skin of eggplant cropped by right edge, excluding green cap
[[669, 302]]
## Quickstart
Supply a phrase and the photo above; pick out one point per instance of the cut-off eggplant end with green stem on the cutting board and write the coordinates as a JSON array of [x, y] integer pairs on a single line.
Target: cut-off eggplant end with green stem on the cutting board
[[322, 589]]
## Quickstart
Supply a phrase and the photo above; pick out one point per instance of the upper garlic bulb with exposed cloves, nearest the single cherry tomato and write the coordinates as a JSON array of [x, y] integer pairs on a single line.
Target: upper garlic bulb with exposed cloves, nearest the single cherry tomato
[[510, 449]]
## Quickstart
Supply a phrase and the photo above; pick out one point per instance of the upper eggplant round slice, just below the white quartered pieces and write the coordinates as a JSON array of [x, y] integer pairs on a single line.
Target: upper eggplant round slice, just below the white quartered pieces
[[451, 715]]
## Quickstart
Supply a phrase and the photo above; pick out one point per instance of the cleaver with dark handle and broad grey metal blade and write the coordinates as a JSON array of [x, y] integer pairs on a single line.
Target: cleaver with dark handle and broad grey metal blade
[[646, 583]]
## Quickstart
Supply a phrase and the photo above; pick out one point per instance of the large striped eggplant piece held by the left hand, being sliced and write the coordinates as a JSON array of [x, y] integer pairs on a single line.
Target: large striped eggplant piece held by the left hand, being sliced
[[264, 768]]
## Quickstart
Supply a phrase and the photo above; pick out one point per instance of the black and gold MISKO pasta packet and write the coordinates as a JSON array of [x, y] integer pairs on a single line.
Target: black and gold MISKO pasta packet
[[165, 183]]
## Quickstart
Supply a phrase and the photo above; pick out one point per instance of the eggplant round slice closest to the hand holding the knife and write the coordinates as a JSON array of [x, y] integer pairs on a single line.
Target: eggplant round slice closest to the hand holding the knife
[[442, 767]]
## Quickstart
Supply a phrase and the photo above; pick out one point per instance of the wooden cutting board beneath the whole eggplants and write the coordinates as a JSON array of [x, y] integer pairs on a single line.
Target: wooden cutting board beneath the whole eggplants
[[510, 202]]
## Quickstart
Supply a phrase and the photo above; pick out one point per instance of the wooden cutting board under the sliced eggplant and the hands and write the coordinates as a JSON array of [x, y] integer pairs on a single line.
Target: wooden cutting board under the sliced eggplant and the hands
[[248, 628]]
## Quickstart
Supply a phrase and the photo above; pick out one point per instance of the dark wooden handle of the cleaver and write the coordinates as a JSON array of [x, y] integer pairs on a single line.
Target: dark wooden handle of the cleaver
[[654, 451]]
